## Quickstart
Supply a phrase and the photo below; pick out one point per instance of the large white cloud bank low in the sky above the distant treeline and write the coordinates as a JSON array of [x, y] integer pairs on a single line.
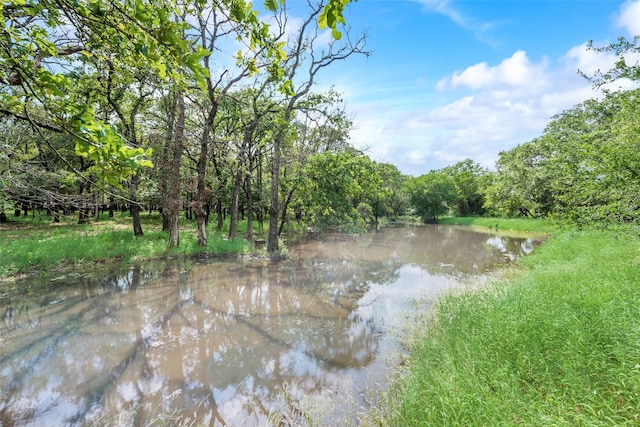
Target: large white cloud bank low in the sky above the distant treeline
[[489, 109]]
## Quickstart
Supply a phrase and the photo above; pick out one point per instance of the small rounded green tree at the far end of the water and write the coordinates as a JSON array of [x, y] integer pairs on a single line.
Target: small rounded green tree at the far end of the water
[[432, 195]]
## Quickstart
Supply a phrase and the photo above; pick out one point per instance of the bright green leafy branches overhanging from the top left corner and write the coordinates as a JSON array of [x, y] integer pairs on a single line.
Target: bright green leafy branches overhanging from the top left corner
[[40, 42]]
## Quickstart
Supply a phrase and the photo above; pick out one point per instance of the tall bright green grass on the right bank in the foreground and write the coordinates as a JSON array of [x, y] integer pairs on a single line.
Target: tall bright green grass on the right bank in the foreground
[[558, 343]]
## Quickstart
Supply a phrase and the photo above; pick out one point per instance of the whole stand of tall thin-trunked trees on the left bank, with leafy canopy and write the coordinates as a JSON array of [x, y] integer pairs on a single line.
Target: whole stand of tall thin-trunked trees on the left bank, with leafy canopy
[[83, 123]]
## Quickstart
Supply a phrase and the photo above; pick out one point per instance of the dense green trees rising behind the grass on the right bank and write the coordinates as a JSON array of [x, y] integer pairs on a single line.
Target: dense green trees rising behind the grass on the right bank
[[583, 169]]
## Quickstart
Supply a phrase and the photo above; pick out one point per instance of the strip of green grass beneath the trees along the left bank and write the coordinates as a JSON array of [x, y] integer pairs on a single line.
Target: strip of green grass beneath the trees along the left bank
[[33, 245]]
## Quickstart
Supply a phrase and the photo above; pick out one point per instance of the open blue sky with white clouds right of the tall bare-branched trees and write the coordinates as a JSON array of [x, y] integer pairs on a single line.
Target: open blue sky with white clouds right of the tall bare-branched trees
[[449, 80]]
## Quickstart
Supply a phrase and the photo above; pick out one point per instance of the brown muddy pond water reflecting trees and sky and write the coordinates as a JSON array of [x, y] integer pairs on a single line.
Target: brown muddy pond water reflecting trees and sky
[[226, 342]]
